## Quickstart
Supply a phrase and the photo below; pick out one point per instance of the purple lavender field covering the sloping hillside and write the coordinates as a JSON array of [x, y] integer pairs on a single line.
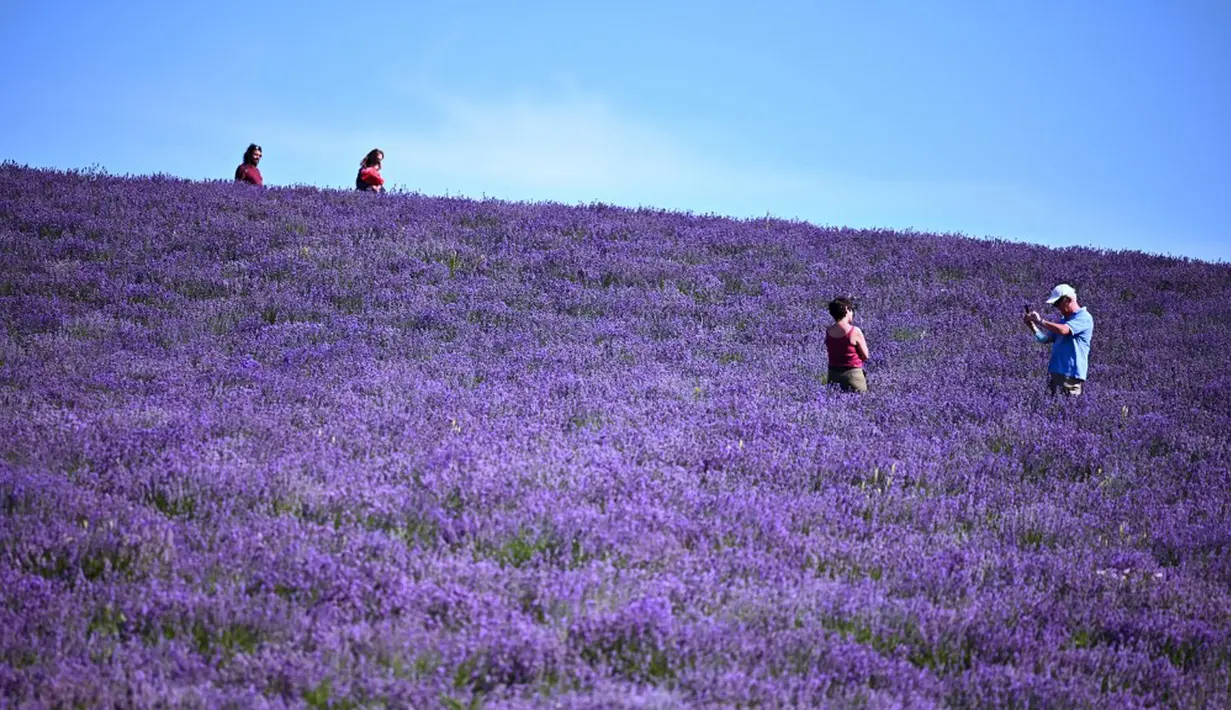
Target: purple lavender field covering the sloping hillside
[[305, 449]]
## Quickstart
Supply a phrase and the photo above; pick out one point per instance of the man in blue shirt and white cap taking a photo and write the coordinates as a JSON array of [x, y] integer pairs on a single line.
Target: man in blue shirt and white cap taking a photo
[[1070, 340]]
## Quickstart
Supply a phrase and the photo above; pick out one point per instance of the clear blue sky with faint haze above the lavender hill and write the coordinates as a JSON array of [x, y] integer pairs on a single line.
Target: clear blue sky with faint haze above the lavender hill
[[1099, 124]]
